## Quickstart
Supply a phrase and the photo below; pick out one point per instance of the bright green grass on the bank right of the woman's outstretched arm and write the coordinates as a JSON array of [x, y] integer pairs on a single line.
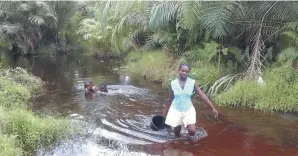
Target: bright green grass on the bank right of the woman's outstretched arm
[[278, 94]]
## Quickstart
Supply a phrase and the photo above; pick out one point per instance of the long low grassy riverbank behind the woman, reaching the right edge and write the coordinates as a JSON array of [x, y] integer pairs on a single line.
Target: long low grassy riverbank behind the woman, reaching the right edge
[[276, 94]]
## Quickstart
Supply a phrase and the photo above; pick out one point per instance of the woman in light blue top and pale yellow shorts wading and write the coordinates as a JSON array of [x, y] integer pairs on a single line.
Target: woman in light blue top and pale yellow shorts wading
[[179, 110]]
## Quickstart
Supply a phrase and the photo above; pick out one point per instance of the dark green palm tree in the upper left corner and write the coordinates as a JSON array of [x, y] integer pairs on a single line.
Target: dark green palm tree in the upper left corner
[[23, 22]]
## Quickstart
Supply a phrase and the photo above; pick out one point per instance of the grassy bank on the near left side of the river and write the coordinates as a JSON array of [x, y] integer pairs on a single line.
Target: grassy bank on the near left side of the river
[[21, 131]]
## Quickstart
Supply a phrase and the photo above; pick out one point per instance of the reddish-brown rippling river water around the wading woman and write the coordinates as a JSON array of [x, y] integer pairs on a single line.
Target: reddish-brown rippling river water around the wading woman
[[118, 123]]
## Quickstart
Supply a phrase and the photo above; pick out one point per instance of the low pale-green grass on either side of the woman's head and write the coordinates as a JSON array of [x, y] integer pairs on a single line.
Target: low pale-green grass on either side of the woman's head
[[159, 67]]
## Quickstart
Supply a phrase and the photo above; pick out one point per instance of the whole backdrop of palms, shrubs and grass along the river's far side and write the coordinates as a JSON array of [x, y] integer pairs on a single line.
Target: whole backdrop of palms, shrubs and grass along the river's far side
[[230, 44]]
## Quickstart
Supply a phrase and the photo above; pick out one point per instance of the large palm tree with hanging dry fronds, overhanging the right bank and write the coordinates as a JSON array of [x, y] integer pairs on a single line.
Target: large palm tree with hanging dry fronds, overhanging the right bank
[[242, 24]]
